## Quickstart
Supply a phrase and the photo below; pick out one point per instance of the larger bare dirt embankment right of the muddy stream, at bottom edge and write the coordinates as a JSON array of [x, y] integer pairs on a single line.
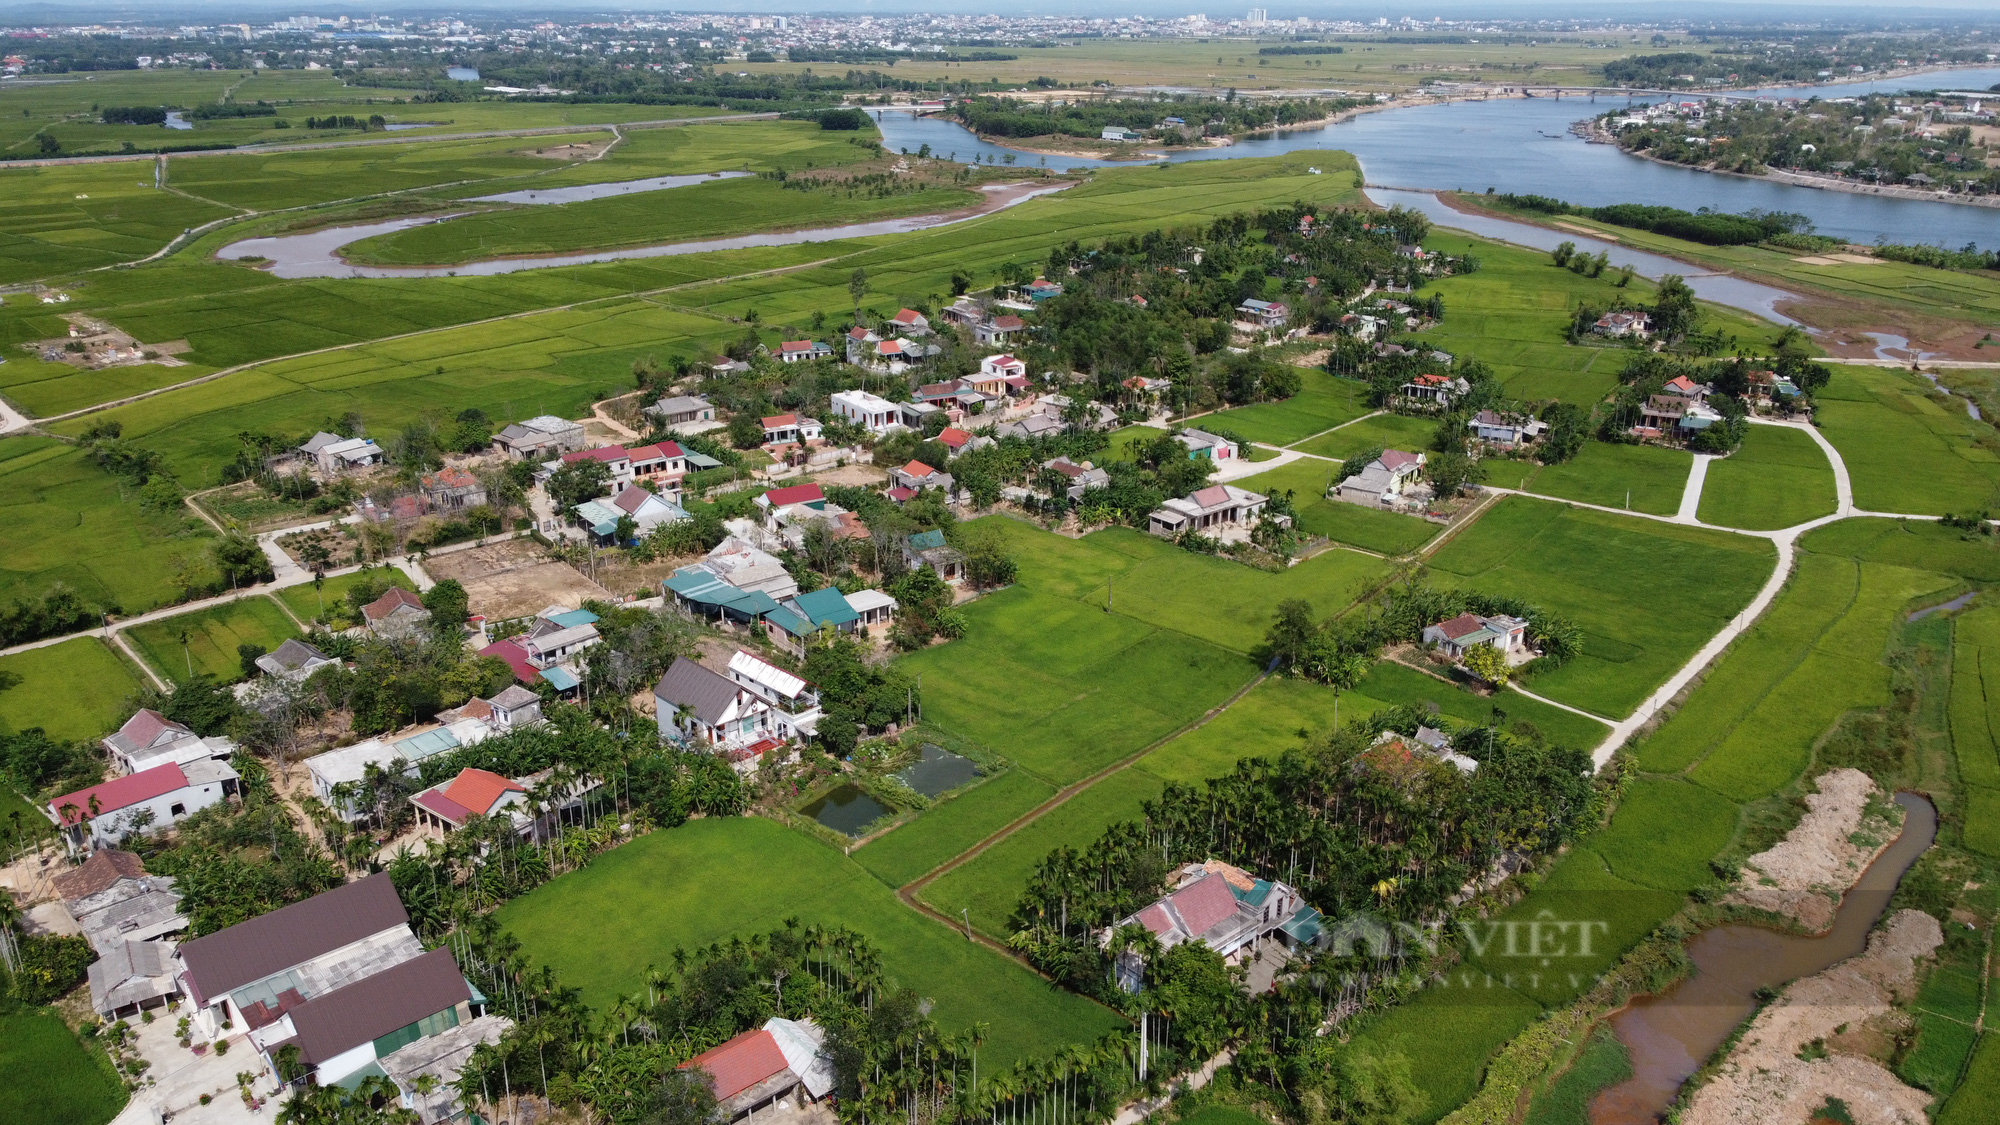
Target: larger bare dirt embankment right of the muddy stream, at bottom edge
[[1793, 1058]]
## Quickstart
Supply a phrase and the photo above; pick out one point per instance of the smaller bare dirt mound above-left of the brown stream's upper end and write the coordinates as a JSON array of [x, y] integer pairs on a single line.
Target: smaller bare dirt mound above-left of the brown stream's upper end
[[1805, 876]]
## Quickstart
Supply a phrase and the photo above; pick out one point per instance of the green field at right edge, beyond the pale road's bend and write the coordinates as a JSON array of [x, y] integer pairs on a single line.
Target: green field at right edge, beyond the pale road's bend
[[1905, 449]]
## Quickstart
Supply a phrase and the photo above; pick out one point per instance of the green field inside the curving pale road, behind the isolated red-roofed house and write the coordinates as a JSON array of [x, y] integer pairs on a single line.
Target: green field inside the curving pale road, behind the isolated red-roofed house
[[1613, 578]]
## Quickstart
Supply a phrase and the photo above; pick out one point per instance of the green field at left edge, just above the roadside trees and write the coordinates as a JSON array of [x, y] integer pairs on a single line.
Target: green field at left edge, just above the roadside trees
[[63, 519]]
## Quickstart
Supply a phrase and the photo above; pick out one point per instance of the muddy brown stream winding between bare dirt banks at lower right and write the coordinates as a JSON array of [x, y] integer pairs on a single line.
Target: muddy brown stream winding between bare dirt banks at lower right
[[1673, 1034]]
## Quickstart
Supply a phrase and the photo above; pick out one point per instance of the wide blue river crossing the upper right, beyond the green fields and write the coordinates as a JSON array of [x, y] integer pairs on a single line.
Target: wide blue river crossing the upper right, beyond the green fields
[[1523, 145]]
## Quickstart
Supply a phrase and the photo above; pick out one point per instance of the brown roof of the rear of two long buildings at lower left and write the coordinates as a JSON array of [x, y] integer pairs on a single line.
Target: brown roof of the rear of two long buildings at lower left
[[289, 936]]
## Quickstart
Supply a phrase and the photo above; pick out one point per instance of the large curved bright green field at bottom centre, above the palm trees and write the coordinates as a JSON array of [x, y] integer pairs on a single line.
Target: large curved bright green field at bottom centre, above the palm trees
[[739, 876]]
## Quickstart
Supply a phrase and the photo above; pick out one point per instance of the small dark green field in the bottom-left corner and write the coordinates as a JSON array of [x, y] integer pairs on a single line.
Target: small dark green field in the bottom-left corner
[[53, 1078]]
